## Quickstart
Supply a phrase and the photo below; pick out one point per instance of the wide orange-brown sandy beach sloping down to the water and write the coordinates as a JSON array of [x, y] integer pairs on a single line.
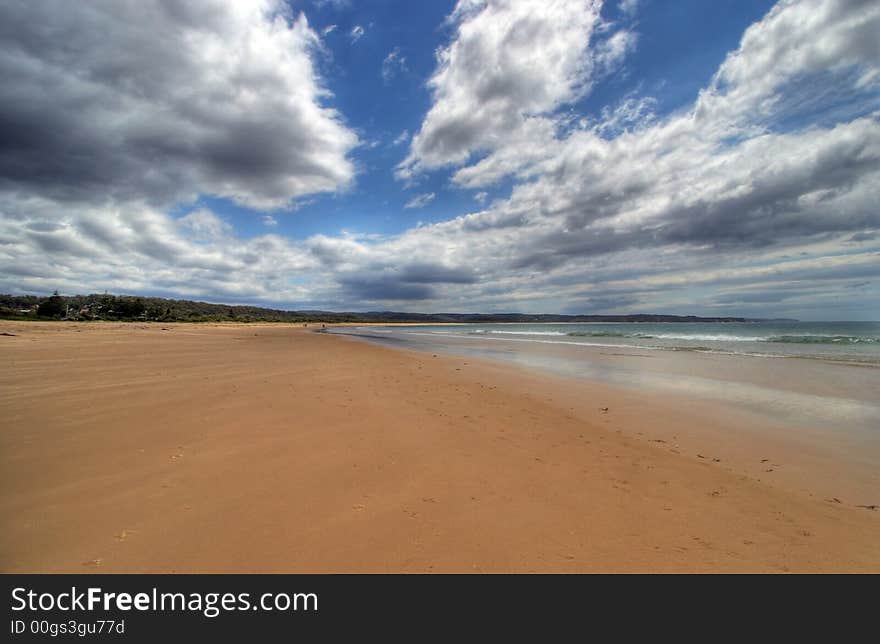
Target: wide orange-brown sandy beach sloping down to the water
[[270, 448]]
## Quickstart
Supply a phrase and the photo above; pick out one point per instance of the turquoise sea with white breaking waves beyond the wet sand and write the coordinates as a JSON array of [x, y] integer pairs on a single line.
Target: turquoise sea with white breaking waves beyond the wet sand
[[838, 341]]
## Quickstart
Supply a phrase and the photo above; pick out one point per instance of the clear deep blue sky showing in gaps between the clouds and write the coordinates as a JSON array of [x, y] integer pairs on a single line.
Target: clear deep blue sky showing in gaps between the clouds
[[682, 46]]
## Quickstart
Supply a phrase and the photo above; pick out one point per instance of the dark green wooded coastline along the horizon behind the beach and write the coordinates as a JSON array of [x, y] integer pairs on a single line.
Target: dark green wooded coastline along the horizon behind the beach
[[132, 308]]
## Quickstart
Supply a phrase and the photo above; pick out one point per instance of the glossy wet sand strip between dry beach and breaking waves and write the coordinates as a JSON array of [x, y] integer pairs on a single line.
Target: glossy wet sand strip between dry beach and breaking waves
[[808, 424]]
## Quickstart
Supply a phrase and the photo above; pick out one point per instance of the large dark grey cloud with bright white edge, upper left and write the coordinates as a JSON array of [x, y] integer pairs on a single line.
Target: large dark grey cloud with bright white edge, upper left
[[172, 99]]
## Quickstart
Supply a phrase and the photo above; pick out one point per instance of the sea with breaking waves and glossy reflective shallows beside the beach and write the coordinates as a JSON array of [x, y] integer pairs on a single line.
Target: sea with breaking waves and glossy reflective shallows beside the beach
[[820, 374]]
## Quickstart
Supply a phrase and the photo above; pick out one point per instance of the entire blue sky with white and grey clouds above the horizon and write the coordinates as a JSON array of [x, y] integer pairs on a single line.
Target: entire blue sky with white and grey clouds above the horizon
[[537, 156]]
